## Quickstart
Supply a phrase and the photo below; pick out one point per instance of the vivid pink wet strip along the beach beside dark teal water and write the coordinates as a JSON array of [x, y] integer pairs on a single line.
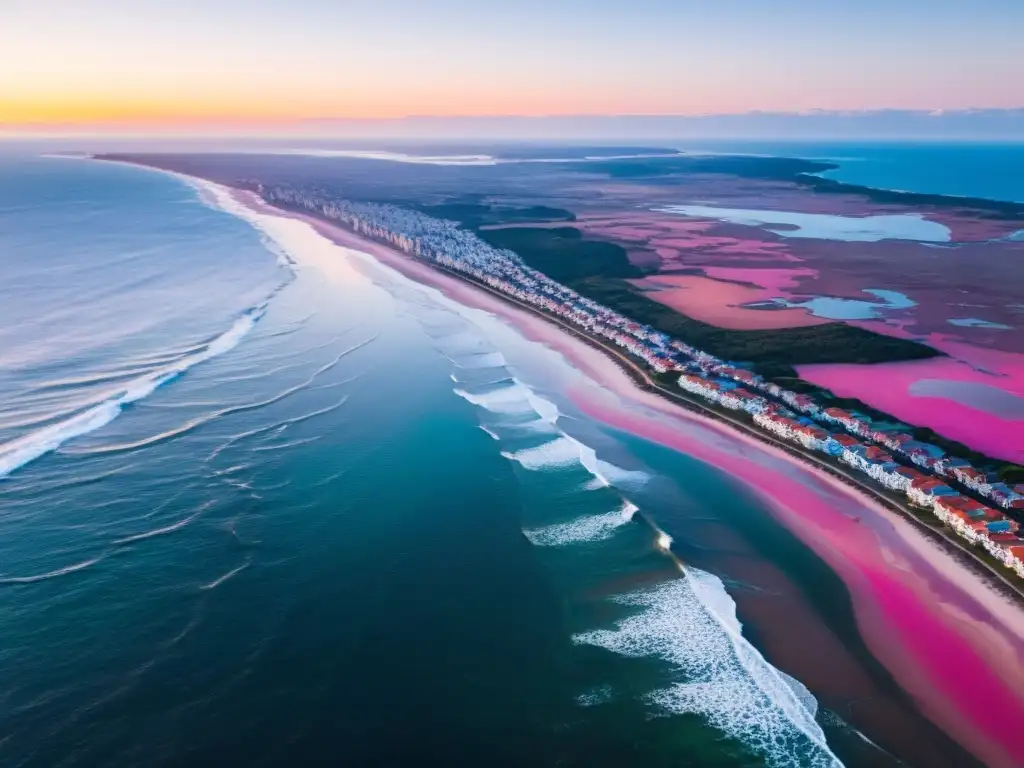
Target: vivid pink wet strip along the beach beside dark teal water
[[948, 645]]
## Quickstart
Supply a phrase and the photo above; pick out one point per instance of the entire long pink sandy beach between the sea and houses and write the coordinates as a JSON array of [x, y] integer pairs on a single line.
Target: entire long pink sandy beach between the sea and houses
[[950, 639]]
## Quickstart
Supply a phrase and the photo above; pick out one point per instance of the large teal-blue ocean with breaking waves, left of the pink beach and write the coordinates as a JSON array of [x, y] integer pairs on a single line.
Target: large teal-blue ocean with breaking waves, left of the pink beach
[[266, 502]]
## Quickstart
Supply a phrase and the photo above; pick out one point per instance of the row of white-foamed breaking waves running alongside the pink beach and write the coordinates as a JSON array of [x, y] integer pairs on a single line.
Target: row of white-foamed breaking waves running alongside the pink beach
[[688, 620]]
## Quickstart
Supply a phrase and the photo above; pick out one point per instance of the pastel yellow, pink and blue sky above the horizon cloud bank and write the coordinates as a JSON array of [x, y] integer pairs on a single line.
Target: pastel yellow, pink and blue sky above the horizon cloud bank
[[98, 62]]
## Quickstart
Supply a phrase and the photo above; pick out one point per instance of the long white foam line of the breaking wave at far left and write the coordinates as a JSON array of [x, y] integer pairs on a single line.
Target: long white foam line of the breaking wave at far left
[[20, 452]]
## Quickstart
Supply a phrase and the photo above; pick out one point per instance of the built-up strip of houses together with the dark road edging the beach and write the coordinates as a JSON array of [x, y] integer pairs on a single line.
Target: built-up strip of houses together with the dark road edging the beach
[[965, 506]]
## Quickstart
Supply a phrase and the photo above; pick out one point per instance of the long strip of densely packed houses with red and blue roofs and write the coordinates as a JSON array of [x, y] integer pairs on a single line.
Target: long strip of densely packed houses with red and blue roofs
[[928, 478]]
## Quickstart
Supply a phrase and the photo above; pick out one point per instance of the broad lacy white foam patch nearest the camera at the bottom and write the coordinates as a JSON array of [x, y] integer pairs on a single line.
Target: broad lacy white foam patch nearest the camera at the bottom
[[692, 623]]
